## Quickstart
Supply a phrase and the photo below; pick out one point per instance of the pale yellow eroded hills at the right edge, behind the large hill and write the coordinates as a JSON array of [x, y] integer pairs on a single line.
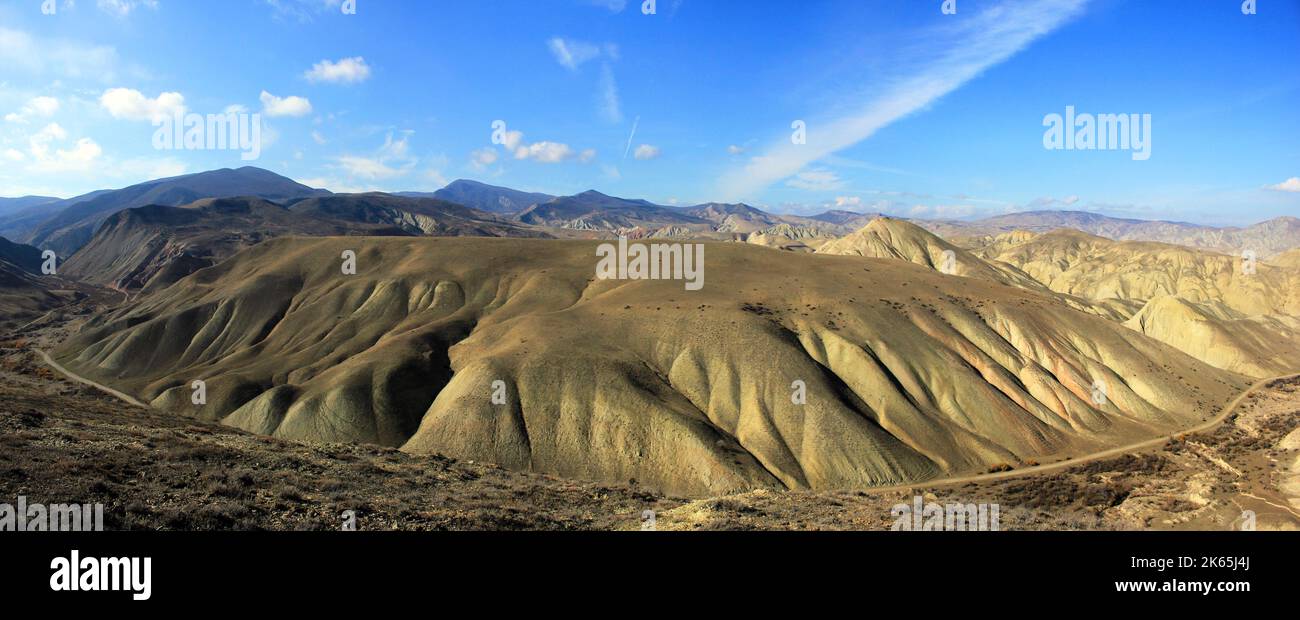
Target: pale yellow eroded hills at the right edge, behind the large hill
[[1207, 305]]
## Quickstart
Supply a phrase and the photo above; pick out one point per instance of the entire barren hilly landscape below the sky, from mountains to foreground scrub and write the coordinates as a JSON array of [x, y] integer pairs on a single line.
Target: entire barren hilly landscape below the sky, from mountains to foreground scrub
[[827, 368]]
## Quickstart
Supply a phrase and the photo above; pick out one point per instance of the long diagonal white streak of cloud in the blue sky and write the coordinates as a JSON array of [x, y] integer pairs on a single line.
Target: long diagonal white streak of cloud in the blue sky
[[956, 53]]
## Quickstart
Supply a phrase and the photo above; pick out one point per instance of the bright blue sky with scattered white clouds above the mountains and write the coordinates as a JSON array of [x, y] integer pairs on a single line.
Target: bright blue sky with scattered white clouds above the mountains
[[916, 109]]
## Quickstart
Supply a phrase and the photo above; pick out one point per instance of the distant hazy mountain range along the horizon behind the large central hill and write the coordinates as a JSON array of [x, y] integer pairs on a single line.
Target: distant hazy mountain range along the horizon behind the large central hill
[[67, 226]]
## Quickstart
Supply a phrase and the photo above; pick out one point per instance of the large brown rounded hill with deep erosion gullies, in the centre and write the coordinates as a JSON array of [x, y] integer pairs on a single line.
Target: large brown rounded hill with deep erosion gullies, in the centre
[[909, 374]]
